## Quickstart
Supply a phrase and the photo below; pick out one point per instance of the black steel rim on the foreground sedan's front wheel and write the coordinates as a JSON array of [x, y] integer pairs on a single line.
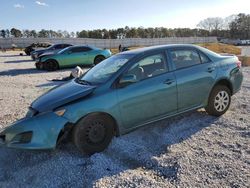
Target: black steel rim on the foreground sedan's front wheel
[[96, 133]]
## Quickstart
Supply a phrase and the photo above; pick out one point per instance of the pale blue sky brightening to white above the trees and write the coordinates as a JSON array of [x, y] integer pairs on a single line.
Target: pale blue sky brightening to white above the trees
[[75, 15]]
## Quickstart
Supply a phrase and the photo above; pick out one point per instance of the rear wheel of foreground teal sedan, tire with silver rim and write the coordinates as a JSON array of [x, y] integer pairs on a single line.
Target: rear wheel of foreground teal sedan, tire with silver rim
[[219, 100]]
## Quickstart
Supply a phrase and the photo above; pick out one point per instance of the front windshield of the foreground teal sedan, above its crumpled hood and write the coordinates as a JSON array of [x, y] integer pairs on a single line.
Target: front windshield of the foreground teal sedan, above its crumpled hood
[[104, 70]]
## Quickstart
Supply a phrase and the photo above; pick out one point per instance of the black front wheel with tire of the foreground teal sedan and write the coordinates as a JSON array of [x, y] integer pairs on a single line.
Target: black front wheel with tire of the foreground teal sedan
[[93, 133]]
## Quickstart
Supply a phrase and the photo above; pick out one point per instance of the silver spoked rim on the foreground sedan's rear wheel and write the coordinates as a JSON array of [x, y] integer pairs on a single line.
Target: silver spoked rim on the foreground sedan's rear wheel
[[221, 101]]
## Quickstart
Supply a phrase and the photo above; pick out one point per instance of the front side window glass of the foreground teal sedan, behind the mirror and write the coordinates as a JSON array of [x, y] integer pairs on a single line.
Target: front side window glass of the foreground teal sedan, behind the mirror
[[147, 67]]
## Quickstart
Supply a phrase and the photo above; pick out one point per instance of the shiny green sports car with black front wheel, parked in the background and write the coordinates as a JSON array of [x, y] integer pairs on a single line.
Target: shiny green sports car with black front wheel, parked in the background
[[71, 57]]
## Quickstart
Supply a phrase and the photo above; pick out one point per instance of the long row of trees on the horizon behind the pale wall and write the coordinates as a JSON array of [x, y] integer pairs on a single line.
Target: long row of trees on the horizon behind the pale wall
[[234, 27]]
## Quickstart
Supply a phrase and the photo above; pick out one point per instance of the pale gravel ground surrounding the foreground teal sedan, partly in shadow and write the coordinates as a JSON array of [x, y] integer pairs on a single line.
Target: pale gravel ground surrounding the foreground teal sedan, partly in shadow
[[190, 150]]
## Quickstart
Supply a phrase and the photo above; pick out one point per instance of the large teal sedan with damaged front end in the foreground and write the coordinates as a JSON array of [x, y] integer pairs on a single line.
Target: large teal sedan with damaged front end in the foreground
[[127, 91]]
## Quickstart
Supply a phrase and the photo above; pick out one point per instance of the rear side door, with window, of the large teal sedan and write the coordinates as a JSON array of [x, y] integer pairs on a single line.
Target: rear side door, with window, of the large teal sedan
[[195, 75]]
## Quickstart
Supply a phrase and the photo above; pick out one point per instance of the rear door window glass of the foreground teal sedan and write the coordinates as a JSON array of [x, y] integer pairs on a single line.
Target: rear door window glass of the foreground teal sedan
[[185, 58]]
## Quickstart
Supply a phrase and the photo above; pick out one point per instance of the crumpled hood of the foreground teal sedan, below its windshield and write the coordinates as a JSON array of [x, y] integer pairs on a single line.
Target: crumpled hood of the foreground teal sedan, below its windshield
[[61, 95]]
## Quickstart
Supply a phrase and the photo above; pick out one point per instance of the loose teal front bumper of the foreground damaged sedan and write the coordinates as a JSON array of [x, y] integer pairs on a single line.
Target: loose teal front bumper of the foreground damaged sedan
[[37, 132]]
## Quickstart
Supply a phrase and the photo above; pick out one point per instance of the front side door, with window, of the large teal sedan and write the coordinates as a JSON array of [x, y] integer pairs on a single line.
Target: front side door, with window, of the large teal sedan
[[153, 95]]
